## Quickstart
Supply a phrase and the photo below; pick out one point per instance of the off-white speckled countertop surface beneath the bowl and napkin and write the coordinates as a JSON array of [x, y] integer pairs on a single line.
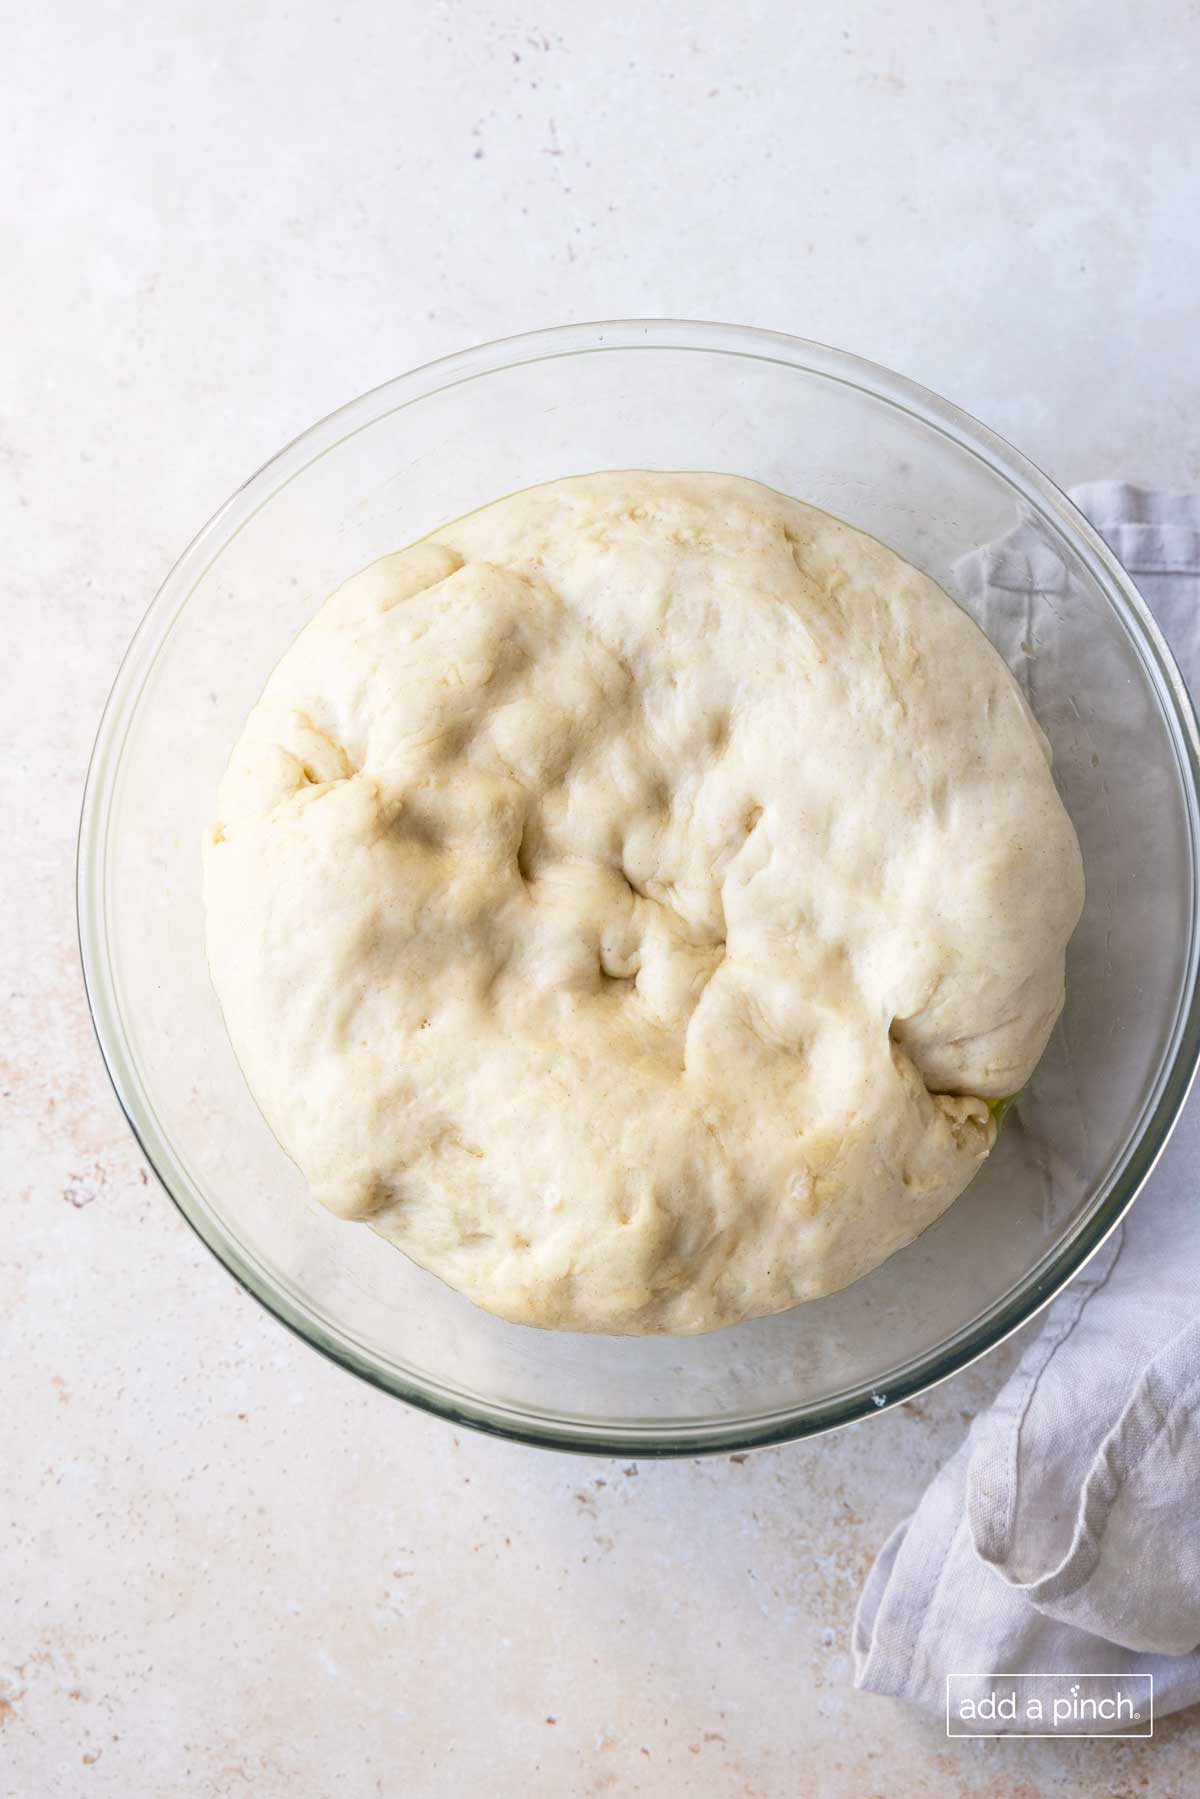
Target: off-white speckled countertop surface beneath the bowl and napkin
[[229, 1568]]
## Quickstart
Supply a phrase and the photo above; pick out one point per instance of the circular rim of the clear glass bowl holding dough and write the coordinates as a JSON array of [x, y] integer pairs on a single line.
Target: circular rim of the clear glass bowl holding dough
[[686, 1437]]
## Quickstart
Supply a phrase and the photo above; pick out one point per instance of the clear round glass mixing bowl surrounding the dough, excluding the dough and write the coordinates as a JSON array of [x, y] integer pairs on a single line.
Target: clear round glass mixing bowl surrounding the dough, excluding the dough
[[891, 460]]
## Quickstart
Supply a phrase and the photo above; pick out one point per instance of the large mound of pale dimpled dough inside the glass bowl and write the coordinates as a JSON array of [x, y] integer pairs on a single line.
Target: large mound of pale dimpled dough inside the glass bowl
[[631, 899]]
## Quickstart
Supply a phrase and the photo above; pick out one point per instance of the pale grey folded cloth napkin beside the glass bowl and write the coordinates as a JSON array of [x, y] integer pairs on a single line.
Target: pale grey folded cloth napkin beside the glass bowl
[[1064, 1537]]
